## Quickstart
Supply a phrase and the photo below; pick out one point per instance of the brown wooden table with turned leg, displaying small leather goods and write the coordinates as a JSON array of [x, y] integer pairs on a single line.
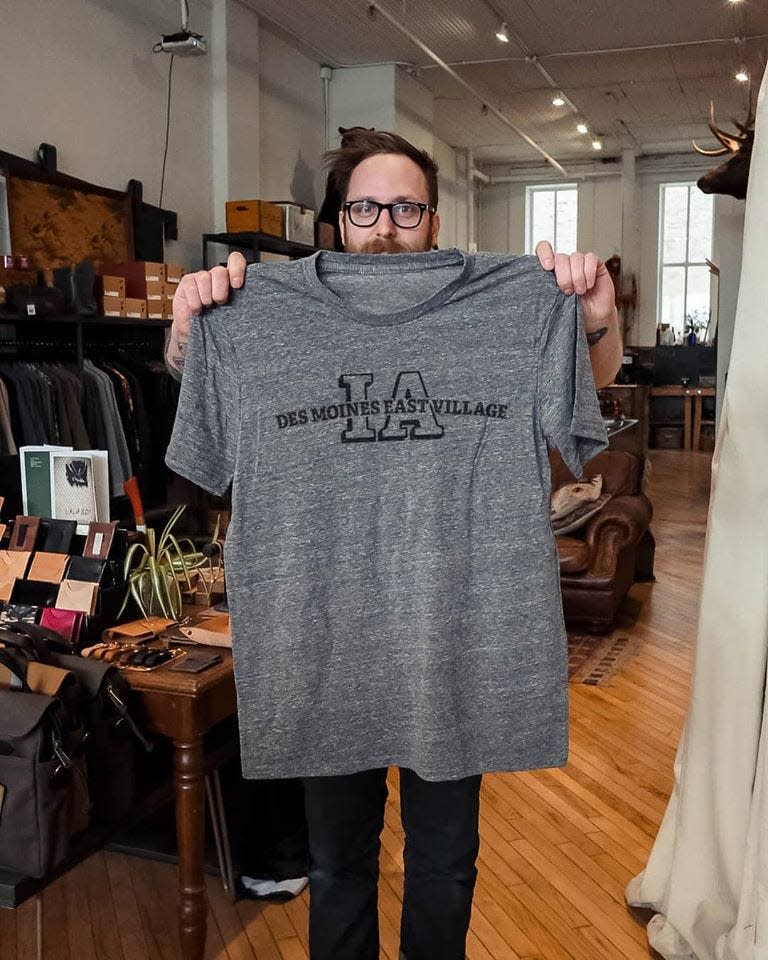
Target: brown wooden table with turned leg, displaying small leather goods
[[184, 707]]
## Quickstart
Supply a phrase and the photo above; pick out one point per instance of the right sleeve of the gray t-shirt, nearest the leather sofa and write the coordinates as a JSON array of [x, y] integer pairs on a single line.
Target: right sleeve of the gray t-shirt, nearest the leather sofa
[[569, 410]]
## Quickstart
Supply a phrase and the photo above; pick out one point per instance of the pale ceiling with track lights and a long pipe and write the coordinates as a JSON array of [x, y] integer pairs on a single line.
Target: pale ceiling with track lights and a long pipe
[[652, 100]]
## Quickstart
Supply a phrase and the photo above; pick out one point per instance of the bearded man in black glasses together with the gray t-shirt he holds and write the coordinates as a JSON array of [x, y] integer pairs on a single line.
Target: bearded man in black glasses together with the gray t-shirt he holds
[[380, 646]]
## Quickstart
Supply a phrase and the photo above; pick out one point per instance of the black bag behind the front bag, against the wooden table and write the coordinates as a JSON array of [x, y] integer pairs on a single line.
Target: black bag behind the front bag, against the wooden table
[[113, 735]]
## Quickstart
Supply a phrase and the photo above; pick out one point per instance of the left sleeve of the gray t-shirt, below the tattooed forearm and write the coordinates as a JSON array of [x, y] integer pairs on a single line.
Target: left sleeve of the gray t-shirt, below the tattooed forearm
[[204, 440]]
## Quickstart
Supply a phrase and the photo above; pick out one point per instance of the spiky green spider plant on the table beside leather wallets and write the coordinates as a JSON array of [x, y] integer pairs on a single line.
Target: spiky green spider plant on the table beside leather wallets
[[153, 569]]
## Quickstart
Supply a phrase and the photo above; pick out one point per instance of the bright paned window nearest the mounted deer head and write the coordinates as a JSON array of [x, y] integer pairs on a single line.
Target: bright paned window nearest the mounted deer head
[[685, 243]]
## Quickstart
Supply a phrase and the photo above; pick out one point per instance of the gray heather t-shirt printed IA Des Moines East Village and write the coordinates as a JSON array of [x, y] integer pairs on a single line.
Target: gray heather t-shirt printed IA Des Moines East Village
[[392, 574]]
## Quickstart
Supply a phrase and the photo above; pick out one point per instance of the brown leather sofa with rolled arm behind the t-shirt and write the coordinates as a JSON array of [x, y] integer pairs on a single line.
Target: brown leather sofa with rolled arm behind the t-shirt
[[600, 561]]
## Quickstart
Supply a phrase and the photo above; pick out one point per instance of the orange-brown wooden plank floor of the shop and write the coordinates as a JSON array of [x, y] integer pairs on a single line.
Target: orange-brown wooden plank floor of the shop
[[558, 846]]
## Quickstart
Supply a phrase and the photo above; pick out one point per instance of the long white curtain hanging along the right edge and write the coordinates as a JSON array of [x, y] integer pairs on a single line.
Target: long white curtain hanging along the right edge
[[707, 876]]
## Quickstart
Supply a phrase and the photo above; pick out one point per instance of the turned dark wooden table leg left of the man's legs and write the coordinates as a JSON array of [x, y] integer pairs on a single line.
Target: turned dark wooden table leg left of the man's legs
[[189, 780]]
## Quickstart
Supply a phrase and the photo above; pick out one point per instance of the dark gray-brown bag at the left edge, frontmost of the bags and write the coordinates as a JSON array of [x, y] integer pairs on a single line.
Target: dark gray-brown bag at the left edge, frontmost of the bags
[[45, 798]]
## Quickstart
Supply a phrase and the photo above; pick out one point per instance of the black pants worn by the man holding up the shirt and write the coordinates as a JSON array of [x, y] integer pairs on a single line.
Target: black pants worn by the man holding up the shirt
[[345, 816]]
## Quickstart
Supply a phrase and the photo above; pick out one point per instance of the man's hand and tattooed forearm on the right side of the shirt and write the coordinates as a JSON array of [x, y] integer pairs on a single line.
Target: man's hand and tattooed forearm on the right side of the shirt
[[587, 276]]
